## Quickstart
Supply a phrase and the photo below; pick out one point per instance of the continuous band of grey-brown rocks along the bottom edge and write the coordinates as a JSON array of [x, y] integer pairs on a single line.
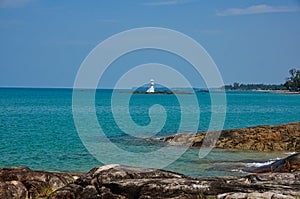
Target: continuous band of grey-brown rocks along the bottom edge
[[123, 182]]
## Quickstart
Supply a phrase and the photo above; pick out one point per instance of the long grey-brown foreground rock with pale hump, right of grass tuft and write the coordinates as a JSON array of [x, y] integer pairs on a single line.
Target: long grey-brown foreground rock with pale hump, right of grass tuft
[[115, 181]]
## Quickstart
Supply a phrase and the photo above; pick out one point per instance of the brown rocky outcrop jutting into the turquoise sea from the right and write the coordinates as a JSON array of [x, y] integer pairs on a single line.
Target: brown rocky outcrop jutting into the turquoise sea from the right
[[284, 137]]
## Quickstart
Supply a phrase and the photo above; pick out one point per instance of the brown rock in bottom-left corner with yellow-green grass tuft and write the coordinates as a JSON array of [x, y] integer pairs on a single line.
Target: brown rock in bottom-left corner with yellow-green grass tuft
[[22, 182]]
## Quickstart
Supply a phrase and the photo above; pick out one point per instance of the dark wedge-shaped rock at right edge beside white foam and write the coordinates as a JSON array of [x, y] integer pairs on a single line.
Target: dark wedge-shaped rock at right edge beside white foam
[[286, 165]]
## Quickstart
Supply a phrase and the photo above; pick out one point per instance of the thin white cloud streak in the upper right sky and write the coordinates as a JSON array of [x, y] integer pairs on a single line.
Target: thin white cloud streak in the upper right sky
[[258, 9]]
